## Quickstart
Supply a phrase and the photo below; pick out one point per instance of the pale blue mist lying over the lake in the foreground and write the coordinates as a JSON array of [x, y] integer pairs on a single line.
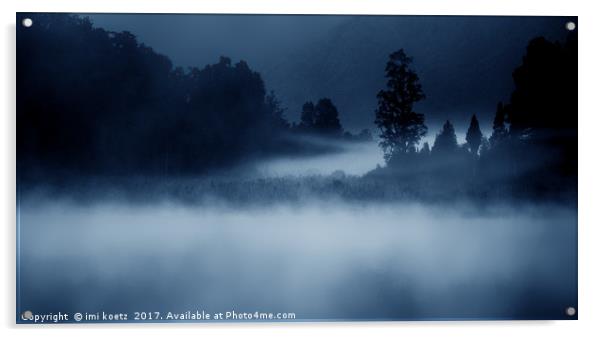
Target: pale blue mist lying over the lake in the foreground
[[327, 260]]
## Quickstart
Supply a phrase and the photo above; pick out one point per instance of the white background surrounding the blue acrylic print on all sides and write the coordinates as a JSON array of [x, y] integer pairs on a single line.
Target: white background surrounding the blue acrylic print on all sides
[[590, 124]]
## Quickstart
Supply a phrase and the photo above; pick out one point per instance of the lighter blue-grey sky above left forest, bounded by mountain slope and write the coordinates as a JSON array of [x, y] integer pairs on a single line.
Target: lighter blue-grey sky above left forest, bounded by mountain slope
[[196, 40]]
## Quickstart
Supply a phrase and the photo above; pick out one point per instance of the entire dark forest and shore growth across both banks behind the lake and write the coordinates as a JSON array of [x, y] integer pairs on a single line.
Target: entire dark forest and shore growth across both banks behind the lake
[[96, 103]]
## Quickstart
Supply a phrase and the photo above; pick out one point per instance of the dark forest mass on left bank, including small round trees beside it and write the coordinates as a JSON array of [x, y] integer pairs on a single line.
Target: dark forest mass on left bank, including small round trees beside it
[[91, 101]]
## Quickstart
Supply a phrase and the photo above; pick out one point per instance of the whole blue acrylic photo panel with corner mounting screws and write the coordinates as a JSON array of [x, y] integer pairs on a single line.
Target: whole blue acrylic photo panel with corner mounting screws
[[277, 168]]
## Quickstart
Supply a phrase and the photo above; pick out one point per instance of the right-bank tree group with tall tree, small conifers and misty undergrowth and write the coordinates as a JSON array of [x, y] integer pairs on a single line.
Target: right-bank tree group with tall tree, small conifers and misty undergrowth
[[534, 135]]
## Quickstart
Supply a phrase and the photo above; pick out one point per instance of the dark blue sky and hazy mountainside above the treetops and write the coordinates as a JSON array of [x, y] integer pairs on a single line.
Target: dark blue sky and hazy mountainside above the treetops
[[465, 63]]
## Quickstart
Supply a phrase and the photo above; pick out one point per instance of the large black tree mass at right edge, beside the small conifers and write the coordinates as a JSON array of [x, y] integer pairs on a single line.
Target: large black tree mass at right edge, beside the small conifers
[[542, 112]]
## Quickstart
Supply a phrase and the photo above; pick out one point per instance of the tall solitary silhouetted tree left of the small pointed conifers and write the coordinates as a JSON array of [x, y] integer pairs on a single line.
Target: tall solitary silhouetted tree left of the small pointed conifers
[[400, 126]]
